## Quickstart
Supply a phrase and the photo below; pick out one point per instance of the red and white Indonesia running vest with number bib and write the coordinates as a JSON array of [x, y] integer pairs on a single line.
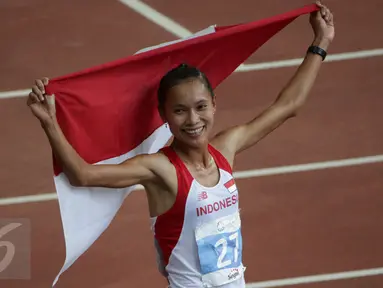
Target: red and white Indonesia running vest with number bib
[[198, 241]]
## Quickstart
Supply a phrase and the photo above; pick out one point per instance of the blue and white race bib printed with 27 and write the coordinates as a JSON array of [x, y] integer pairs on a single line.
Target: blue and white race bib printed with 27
[[219, 245]]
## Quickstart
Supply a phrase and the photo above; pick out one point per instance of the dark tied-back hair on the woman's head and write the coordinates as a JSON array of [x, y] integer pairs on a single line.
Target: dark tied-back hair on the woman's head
[[178, 75]]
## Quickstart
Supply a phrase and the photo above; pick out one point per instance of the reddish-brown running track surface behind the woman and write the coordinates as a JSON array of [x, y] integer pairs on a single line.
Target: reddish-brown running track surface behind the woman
[[305, 223]]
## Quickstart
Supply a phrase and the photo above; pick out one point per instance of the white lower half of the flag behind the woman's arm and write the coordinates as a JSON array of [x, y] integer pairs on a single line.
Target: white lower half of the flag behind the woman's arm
[[87, 212]]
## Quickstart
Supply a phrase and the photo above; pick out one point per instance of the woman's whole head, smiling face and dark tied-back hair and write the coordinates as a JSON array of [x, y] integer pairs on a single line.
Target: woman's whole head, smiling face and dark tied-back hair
[[188, 108]]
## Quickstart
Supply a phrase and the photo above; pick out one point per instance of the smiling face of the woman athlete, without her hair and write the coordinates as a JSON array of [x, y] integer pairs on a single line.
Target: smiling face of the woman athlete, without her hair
[[189, 110]]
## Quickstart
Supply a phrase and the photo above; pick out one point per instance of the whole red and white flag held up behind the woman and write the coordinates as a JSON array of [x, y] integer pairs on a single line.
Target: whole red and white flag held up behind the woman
[[109, 114]]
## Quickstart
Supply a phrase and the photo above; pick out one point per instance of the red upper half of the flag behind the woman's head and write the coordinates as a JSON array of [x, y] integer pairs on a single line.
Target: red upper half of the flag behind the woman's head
[[109, 110]]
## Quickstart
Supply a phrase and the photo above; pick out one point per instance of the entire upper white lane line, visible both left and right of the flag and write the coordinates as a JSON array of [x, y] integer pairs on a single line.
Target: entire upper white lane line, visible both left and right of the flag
[[253, 67]]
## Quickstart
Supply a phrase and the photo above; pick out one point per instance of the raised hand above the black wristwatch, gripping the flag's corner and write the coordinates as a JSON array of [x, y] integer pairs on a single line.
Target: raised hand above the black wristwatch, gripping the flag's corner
[[322, 23]]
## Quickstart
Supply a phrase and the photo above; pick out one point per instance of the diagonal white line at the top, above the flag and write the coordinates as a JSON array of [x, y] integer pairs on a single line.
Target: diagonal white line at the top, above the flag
[[157, 18]]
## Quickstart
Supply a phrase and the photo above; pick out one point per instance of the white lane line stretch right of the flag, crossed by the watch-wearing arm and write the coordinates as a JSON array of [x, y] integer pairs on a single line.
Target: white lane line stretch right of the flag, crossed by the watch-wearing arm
[[296, 62]]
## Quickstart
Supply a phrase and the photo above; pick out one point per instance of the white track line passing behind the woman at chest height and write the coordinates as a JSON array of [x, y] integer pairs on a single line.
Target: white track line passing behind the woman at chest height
[[237, 175]]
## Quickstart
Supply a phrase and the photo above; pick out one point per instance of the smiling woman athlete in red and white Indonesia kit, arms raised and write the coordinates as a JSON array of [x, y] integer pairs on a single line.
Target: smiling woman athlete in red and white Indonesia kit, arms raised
[[192, 196]]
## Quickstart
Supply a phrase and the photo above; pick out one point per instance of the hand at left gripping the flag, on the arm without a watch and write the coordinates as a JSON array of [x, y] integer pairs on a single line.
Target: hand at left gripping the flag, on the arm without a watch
[[42, 105]]
